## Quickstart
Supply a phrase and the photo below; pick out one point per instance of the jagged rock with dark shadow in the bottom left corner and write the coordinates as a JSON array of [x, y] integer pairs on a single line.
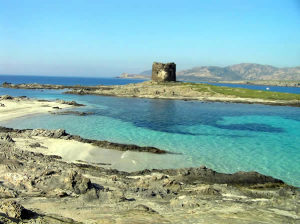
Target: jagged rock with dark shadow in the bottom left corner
[[15, 210]]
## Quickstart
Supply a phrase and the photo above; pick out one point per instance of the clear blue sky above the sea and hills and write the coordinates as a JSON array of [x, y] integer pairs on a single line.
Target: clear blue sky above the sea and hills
[[108, 37]]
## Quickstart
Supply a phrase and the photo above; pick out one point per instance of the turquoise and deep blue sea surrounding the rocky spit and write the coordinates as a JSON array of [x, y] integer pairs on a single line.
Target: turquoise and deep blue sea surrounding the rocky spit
[[226, 137]]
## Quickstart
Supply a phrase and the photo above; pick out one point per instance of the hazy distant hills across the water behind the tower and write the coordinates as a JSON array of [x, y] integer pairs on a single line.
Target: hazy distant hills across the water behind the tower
[[244, 71]]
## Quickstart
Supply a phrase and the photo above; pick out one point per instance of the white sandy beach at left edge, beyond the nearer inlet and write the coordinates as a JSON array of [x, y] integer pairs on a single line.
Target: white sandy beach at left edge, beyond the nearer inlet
[[22, 107]]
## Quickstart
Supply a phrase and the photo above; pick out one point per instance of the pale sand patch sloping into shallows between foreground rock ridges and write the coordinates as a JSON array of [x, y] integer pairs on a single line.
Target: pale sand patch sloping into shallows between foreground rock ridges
[[74, 151]]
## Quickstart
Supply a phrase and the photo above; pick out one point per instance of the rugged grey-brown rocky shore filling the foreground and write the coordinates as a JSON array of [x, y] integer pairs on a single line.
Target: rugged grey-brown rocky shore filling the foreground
[[38, 188]]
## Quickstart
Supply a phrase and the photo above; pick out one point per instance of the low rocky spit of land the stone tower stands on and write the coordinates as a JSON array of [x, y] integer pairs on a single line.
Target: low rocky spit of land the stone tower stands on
[[172, 91]]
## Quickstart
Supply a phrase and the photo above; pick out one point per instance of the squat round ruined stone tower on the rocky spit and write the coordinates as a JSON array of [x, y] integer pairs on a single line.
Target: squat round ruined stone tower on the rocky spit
[[163, 72]]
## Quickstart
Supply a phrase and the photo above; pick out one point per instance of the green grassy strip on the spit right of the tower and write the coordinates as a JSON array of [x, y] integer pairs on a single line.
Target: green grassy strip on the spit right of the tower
[[241, 92]]
